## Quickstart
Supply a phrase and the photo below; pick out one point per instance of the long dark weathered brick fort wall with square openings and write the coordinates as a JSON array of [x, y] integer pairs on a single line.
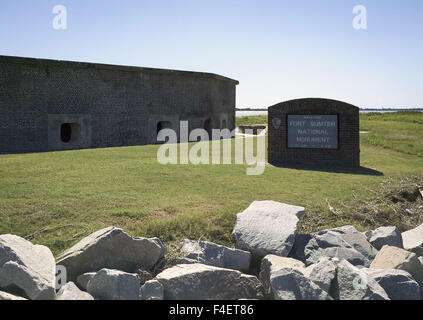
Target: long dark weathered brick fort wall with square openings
[[121, 105]]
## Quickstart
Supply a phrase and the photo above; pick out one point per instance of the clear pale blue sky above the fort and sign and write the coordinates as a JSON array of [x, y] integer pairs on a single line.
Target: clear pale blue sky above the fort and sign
[[277, 49]]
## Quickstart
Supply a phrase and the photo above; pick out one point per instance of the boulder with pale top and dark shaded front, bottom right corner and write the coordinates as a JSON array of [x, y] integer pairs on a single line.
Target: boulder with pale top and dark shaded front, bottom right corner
[[398, 284]]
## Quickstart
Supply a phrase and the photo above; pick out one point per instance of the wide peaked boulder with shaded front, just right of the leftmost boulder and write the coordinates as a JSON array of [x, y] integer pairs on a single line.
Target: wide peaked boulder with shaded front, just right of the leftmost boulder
[[111, 248]]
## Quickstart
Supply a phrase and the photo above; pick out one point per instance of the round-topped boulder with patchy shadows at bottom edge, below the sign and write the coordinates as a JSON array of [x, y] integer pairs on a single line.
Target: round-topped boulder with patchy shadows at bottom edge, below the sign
[[291, 284]]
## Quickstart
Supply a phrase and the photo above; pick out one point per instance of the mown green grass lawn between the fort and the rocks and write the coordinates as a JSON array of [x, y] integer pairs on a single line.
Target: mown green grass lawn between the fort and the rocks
[[57, 198]]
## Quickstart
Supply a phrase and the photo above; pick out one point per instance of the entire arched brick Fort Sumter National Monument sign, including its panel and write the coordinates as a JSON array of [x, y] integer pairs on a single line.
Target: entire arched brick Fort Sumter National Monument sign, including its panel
[[314, 133]]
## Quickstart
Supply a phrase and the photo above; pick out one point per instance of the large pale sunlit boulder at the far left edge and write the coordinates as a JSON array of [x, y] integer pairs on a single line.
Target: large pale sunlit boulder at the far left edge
[[27, 269]]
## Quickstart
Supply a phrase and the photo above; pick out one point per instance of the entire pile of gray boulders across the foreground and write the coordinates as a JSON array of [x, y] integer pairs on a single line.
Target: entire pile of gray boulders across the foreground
[[340, 263]]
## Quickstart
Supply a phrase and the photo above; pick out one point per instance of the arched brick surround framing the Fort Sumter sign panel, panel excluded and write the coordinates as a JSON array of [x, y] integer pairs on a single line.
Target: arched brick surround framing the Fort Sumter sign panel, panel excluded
[[346, 156]]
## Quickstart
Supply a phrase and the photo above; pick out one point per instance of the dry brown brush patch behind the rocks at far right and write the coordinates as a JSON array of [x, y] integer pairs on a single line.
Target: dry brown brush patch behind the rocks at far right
[[395, 202]]
